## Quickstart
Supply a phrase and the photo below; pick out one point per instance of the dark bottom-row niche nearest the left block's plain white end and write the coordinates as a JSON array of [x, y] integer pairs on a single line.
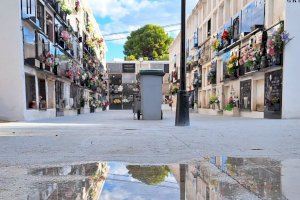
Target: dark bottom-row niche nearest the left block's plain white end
[[30, 92]]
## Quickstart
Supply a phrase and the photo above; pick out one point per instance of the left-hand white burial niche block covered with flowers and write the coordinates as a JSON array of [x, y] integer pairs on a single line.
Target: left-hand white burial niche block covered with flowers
[[52, 60]]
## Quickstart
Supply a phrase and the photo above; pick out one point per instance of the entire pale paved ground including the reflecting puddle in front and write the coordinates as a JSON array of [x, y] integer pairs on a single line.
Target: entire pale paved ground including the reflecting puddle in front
[[61, 159]]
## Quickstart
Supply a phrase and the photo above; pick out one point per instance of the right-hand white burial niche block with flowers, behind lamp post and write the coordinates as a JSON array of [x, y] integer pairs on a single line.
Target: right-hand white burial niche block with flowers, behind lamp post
[[242, 58]]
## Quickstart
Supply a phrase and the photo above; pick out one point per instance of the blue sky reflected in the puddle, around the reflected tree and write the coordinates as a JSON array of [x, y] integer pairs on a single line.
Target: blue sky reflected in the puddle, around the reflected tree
[[119, 185]]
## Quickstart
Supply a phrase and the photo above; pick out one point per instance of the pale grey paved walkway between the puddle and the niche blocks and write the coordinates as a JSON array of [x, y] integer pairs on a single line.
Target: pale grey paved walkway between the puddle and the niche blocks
[[114, 135]]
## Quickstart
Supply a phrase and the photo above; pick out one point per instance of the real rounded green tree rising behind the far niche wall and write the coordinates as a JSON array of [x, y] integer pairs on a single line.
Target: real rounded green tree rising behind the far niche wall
[[150, 41]]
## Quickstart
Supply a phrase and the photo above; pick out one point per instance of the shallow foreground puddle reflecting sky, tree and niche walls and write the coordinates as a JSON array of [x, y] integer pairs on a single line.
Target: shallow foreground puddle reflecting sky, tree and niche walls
[[212, 178]]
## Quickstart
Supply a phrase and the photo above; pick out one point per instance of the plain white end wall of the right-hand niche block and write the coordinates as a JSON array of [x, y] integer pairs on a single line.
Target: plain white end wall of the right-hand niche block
[[291, 64]]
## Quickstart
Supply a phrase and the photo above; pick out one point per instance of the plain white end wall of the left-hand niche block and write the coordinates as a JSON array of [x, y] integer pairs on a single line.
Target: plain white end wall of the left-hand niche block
[[12, 76]]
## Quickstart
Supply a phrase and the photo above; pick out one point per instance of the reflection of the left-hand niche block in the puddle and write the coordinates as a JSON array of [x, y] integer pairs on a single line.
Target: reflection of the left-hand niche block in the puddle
[[84, 188]]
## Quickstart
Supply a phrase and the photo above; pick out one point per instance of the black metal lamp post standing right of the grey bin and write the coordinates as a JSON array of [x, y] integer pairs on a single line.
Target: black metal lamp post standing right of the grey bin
[[182, 108]]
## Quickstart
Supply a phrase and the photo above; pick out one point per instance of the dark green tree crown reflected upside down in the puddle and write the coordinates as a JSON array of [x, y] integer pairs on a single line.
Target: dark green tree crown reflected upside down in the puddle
[[150, 175]]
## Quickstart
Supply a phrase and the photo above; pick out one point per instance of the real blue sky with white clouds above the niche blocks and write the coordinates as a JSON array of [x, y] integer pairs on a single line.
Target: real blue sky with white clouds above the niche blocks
[[116, 16]]
